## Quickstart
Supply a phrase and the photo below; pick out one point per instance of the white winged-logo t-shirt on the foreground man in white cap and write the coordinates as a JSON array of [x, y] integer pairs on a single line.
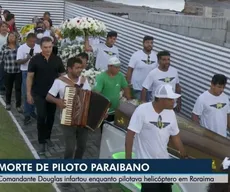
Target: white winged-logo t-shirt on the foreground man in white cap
[[151, 139]]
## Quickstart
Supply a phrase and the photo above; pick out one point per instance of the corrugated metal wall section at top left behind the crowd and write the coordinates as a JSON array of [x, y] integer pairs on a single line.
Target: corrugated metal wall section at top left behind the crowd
[[25, 10]]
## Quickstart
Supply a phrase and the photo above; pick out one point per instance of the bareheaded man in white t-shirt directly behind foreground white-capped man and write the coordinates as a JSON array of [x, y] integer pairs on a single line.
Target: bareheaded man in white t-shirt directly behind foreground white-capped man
[[163, 74]]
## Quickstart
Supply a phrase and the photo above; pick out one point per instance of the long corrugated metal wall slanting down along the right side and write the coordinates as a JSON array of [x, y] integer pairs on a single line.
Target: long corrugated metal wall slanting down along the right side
[[195, 60]]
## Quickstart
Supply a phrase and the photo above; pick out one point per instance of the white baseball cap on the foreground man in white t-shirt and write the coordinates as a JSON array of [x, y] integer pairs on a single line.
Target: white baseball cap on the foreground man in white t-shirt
[[166, 91]]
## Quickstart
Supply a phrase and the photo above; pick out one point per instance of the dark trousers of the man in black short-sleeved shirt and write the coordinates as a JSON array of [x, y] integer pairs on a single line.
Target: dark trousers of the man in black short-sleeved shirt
[[45, 118]]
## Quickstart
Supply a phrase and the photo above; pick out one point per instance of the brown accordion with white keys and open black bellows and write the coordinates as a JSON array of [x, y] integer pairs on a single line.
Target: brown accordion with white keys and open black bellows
[[84, 108]]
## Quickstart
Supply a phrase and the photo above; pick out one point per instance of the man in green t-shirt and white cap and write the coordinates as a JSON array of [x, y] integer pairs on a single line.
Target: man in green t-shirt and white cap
[[110, 83]]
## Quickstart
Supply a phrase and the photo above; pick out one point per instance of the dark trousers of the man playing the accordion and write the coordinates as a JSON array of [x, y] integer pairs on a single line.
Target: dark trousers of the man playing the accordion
[[75, 141]]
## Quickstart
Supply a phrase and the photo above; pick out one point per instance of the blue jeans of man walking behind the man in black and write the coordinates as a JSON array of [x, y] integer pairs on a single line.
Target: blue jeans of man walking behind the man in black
[[28, 109]]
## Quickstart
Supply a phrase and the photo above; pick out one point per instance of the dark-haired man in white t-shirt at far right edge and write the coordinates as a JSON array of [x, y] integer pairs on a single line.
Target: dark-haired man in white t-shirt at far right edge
[[212, 109]]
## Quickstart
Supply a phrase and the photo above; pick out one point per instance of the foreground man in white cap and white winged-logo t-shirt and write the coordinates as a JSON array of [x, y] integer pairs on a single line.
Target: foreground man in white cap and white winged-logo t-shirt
[[152, 124]]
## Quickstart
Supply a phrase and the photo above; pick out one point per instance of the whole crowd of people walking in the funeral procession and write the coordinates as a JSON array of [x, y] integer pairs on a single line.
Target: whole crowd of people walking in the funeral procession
[[40, 77]]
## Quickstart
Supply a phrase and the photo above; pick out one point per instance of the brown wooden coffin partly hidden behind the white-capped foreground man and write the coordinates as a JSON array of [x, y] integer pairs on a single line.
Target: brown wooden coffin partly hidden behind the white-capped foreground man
[[193, 134]]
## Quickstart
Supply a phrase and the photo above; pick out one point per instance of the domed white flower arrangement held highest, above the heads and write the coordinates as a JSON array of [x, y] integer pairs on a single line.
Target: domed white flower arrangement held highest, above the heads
[[81, 26]]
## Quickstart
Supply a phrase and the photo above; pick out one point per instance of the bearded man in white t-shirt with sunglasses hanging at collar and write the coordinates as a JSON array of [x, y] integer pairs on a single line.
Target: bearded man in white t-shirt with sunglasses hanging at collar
[[140, 64]]
